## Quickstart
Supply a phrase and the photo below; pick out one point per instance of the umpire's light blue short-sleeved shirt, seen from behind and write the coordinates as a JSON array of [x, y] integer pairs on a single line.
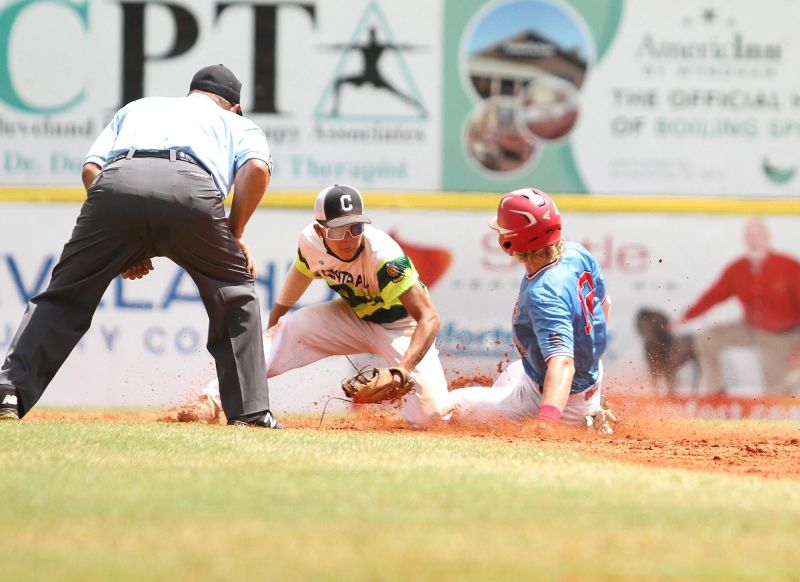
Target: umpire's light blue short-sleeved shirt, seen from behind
[[219, 139]]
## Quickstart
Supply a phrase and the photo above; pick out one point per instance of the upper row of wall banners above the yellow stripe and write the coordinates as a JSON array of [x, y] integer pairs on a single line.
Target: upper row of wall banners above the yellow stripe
[[602, 96]]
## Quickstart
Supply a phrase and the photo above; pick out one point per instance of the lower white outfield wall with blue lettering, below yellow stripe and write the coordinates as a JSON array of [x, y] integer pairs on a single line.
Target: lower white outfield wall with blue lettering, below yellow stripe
[[146, 344]]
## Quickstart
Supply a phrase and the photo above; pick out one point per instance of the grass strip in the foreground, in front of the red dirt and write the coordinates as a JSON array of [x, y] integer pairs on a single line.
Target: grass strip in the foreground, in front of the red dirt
[[85, 500]]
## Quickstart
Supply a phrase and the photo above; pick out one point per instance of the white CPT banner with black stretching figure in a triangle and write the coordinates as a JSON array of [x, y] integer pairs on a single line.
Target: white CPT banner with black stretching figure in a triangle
[[346, 90]]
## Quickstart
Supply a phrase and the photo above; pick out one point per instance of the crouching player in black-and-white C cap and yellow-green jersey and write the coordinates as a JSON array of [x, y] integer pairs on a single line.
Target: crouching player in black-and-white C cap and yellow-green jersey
[[383, 308]]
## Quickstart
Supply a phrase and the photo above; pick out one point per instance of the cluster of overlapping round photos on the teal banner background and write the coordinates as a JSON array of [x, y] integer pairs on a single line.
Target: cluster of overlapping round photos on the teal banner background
[[524, 66]]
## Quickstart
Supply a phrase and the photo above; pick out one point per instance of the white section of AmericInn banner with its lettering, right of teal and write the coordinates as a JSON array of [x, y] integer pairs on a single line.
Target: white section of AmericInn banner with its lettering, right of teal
[[695, 99]]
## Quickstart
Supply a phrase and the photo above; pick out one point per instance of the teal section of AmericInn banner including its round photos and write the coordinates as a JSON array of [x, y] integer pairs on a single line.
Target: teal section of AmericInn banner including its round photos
[[513, 76]]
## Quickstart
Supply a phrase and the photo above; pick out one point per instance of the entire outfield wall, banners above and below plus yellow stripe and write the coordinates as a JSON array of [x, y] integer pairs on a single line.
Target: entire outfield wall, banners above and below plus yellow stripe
[[623, 99]]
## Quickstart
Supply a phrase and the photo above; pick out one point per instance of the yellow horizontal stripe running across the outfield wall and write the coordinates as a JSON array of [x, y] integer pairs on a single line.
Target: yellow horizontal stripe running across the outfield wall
[[479, 201]]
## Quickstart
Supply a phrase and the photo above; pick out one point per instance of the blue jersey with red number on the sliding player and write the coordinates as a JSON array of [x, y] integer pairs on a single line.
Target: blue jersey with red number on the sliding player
[[559, 313]]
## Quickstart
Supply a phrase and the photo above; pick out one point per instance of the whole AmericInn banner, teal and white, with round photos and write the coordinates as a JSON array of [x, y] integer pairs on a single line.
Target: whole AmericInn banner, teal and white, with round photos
[[610, 97]]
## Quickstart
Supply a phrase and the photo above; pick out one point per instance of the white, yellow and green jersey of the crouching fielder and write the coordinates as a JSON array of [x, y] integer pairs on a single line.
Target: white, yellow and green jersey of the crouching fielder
[[372, 282]]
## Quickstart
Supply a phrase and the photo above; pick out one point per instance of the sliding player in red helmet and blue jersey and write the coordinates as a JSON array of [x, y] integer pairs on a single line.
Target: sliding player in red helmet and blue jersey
[[559, 325]]
